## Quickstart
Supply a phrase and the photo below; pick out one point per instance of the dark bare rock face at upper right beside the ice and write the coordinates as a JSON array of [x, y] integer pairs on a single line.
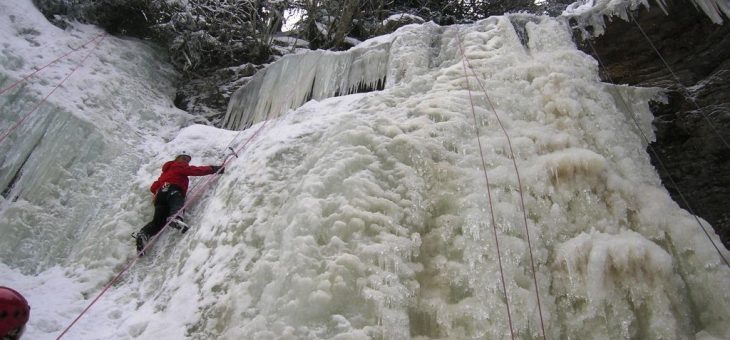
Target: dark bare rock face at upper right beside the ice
[[692, 151]]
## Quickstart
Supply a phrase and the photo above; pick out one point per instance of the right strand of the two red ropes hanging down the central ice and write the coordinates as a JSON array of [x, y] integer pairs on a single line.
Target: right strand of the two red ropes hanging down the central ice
[[466, 61]]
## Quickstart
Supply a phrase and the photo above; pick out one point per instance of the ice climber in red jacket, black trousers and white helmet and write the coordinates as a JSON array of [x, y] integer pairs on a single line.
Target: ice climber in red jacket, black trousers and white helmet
[[169, 195]]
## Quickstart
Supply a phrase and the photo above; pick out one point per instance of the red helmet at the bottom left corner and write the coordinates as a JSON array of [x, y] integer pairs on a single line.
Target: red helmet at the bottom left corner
[[14, 313]]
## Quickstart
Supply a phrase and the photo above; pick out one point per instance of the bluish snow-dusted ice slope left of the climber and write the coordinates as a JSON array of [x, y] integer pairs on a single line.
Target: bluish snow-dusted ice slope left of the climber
[[66, 167]]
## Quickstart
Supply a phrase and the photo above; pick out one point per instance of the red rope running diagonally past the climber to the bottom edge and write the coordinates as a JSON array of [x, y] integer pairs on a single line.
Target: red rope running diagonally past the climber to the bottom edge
[[195, 192]]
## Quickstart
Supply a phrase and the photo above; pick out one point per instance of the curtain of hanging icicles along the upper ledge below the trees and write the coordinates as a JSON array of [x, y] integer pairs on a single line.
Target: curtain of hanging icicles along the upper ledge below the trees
[[375, 64]]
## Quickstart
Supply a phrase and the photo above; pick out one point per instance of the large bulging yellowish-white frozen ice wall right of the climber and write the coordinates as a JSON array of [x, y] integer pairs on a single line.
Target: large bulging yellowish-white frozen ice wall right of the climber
[[367, 216]]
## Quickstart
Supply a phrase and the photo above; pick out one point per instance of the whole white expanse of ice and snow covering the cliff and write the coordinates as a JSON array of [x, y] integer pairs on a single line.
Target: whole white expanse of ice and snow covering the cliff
[[359, 216]]
